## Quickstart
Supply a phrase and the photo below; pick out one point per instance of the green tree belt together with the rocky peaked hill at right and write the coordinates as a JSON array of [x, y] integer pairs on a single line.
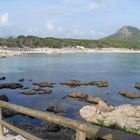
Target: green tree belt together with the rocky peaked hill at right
[[126, 37]]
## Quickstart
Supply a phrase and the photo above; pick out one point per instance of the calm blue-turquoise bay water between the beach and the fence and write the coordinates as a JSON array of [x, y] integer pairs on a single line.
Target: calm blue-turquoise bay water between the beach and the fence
[[120, 70]]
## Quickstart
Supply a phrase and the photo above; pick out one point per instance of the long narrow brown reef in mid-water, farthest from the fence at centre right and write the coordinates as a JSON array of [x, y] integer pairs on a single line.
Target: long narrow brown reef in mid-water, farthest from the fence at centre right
[[75, 83]]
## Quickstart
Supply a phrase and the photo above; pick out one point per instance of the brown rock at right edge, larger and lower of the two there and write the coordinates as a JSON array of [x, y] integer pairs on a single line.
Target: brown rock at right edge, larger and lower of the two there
[[129, 94]]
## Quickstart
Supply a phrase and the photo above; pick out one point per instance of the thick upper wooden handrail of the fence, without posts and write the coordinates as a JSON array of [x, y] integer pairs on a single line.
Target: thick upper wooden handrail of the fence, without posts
[[91, 130]]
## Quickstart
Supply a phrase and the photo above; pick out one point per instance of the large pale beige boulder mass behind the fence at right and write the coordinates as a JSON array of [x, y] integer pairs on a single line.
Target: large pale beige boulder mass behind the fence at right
[[123, 116]]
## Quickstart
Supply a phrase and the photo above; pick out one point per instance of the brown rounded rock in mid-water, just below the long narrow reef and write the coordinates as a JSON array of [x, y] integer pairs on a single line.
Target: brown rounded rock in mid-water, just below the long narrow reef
[[79, 95]]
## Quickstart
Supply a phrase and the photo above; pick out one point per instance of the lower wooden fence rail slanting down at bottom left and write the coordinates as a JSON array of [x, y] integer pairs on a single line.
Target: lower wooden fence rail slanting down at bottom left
[[19, 131]]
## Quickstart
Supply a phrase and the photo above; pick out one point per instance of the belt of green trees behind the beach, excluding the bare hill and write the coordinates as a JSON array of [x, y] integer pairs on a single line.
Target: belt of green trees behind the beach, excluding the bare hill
[[33, 41]]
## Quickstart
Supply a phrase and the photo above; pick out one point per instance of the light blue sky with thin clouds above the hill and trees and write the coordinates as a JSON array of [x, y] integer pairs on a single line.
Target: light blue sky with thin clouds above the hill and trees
[[83, 19]]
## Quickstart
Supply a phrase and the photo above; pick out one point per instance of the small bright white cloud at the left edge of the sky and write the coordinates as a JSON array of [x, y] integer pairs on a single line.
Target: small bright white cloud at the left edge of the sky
[[4, 19]]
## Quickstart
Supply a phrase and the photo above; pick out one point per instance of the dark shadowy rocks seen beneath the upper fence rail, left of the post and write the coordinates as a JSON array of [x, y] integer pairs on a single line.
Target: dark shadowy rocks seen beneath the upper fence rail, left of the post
[[48, 130]]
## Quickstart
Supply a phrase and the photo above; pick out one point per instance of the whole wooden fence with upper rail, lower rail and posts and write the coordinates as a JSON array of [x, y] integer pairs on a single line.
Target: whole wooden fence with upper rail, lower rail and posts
[[83, 129]]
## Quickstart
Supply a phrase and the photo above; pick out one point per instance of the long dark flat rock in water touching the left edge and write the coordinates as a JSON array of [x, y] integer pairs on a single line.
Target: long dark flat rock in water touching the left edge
[[11, 85]]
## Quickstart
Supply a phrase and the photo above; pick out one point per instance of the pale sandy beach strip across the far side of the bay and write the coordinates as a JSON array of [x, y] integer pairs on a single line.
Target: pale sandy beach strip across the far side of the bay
[[5, 51]]
